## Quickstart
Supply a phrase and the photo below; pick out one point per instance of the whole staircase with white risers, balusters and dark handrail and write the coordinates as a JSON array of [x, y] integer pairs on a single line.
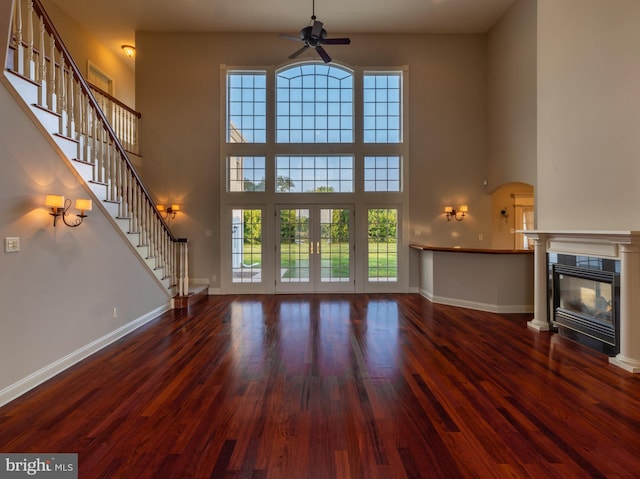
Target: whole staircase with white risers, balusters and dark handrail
[[41, 73]]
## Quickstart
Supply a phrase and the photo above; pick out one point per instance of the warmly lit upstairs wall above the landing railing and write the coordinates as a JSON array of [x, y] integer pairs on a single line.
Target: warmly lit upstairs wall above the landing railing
[[85, 48]]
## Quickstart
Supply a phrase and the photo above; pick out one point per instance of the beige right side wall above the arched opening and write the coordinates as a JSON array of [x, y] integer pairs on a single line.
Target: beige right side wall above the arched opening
[[512, 97]]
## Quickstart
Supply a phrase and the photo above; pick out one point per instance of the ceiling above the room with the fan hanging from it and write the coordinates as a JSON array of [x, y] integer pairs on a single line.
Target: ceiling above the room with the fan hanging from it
[[115, 21]]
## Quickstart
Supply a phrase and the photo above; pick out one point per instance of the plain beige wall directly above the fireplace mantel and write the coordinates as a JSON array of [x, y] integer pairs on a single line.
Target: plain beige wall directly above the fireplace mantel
[[588, 114]]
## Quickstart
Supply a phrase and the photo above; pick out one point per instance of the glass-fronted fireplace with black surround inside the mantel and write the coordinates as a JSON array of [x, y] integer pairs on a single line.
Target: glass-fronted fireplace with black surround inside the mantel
[[584, 300]]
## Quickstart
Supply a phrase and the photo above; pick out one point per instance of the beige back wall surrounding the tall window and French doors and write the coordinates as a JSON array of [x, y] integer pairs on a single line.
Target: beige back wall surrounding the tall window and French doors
[[178, 78]]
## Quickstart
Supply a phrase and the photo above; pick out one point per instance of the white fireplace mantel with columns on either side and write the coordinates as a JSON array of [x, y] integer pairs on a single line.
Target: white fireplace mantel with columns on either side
[[622, 245]]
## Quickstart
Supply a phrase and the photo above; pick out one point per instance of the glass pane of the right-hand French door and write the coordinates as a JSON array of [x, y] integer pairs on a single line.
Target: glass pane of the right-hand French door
[[334, 245]]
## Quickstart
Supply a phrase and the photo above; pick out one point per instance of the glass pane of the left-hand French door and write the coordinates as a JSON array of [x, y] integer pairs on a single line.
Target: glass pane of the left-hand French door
[[294, 245]]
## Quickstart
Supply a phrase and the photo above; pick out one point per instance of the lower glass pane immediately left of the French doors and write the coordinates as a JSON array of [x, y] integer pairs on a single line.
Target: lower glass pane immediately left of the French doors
[[246, 246]]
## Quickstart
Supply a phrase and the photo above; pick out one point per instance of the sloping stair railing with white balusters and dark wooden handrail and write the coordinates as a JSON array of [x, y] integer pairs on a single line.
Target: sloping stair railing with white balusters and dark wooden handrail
[[37, 53]]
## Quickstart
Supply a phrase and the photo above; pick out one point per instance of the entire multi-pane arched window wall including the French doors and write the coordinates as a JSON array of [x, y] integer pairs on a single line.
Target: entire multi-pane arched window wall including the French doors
[[307, 139]]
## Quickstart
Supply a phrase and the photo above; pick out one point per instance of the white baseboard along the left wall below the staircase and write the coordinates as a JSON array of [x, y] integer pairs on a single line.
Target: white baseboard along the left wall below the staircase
[[35, 379]]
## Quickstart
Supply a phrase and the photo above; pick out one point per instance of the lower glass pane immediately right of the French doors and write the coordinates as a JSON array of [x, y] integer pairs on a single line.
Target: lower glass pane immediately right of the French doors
[[382, 255]]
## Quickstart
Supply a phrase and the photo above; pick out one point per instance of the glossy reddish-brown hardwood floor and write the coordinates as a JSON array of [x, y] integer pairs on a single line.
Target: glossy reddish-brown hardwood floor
[[344, 386]]
